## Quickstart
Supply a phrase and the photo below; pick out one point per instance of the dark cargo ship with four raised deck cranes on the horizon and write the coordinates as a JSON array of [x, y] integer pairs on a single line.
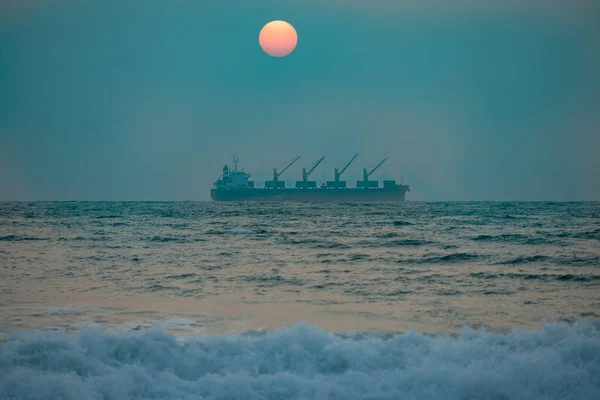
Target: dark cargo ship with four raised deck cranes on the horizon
[[236, 185]]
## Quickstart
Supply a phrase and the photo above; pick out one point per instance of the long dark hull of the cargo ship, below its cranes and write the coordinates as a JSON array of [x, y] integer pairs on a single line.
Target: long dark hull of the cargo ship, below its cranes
[[309, 195]]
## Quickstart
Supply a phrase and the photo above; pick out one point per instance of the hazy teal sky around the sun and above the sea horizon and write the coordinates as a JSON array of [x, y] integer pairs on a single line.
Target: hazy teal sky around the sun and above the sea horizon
[[146, 100]]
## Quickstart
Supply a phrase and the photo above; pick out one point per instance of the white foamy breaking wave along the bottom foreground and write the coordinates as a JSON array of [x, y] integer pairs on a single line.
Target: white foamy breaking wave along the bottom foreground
[[559, 361]]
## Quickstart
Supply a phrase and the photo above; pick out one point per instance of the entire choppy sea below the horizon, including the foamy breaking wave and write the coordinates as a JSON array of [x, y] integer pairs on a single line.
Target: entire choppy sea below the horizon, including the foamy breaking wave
[[202, 300]]
